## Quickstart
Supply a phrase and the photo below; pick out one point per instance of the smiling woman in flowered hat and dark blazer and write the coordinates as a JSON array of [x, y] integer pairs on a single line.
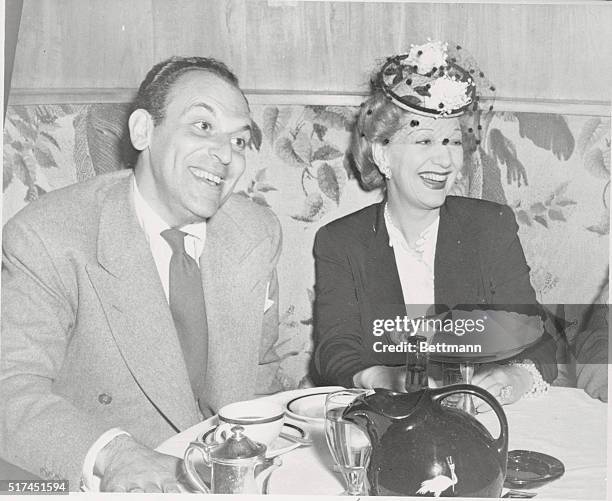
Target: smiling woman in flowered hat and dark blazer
[[419, 246]]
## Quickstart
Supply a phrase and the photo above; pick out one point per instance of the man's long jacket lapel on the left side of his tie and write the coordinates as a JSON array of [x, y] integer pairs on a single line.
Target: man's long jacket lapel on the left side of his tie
[[131, 294]]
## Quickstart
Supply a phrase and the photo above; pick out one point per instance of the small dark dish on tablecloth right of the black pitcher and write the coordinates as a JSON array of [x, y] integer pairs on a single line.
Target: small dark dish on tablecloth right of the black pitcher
[[527, 469]]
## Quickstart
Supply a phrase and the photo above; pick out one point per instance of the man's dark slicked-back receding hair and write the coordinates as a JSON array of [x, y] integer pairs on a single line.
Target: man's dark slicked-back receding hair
[[154, 89]]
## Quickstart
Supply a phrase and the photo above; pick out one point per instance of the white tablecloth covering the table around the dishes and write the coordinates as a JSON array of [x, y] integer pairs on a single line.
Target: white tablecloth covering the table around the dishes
[[566, 423]]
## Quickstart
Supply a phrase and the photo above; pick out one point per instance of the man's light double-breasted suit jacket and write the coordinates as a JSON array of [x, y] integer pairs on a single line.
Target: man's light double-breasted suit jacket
[[88, 340]]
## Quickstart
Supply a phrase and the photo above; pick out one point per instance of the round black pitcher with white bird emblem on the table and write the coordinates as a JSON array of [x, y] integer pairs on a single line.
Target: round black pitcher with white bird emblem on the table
[[420, 447]]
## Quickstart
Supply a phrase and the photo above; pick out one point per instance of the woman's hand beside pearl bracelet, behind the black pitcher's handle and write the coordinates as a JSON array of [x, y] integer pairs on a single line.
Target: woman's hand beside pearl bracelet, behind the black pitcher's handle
[[506, 383]]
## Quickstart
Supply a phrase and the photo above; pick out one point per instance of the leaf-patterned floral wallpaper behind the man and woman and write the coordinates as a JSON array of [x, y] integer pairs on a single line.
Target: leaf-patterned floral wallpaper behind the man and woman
[[553, 170]]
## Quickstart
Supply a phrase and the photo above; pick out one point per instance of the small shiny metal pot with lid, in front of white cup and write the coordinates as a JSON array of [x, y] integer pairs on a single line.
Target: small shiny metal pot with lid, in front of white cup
[[237, 465]]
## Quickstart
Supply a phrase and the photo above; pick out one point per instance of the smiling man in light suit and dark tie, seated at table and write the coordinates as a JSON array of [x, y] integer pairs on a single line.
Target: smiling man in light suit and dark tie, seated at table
[[105, 353]]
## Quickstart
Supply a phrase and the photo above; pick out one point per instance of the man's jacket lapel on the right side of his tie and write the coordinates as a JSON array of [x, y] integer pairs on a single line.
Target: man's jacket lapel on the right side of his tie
[[234, 295]]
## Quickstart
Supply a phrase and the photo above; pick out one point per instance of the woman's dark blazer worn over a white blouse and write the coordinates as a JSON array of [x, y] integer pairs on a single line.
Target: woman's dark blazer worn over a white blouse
[[478, 261]]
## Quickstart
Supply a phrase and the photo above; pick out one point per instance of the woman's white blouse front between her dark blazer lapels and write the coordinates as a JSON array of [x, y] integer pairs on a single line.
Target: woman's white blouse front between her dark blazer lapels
[[415, 265]]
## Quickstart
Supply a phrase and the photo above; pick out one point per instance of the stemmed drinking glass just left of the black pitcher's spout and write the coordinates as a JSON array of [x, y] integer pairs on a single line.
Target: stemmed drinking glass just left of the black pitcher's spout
[[349, 446]]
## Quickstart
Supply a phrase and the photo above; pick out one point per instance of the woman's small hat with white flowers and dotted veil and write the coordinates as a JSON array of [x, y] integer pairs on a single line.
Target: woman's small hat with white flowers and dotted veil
[[429, 82]]
